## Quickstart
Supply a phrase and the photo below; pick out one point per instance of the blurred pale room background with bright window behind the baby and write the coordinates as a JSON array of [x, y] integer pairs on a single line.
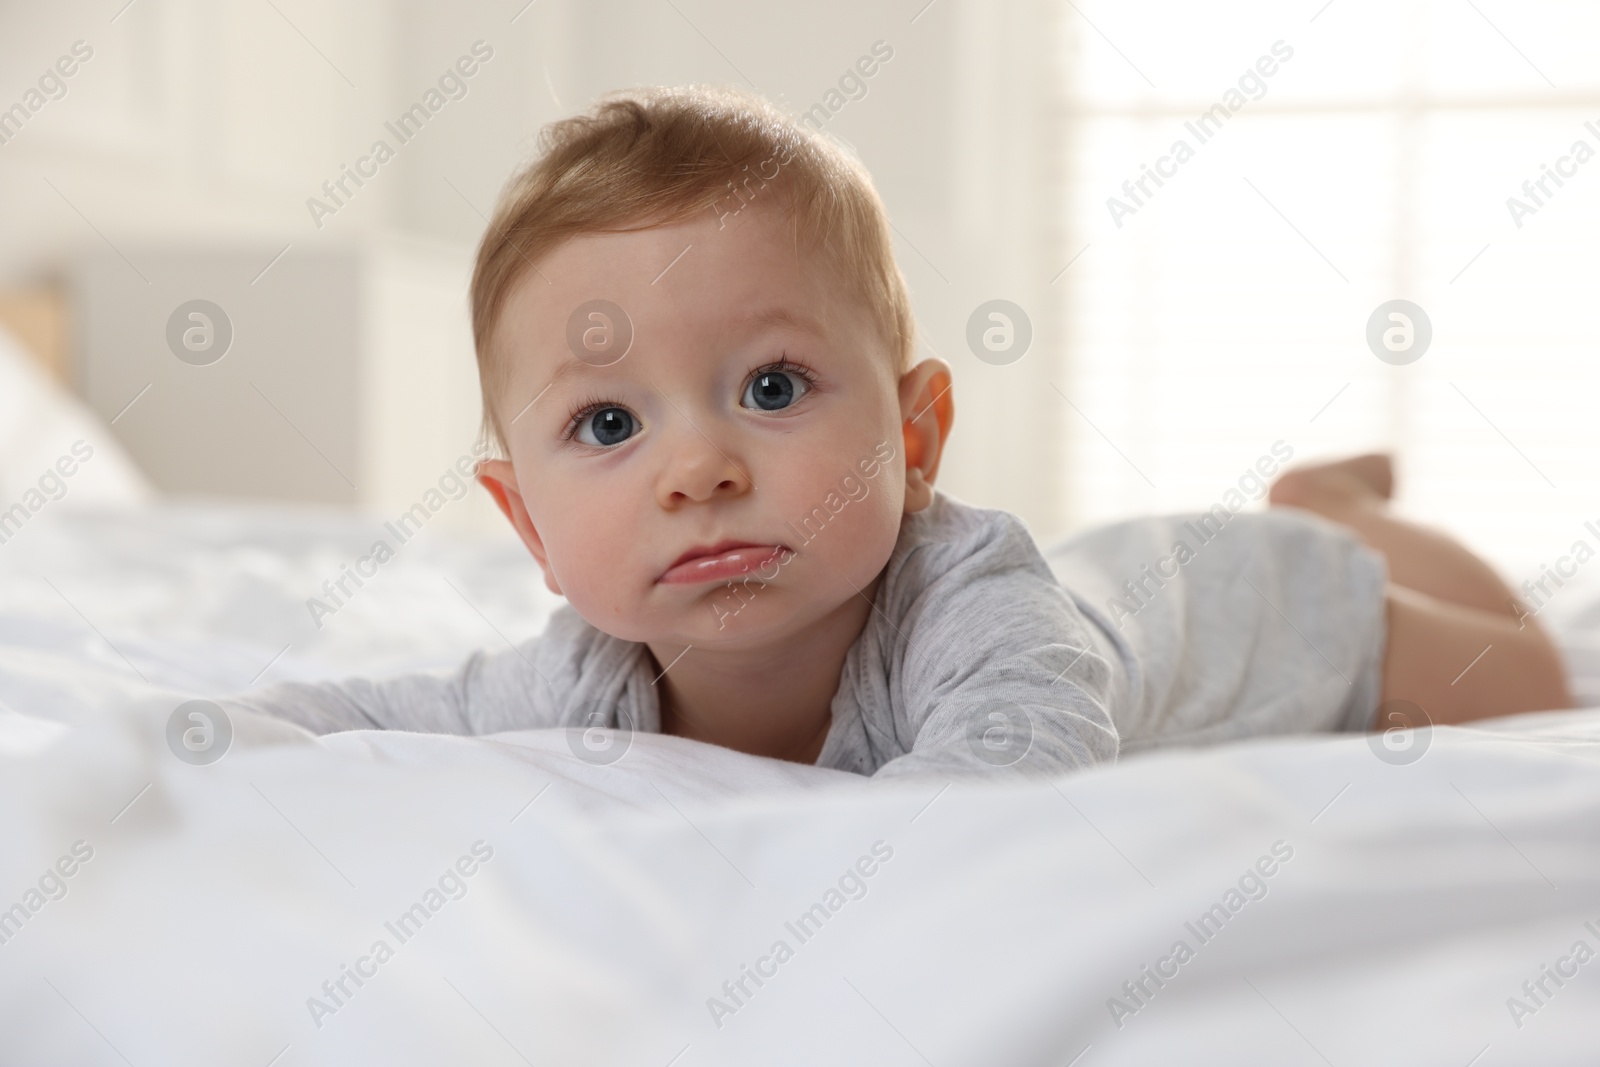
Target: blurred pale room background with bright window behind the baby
[[166, 159]]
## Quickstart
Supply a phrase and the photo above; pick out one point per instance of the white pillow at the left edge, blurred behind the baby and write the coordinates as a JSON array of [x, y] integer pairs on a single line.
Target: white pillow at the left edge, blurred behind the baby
[[54, 450]]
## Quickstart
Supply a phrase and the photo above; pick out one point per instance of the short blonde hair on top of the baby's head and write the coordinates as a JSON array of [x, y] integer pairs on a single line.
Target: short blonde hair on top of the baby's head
[[660, 156]]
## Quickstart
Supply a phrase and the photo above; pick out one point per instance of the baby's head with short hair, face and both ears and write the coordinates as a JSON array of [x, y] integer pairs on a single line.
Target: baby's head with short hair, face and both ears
[[694, 337]]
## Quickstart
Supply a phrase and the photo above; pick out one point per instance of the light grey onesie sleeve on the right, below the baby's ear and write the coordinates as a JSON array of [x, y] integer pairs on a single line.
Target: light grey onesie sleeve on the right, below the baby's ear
[[998, 673]]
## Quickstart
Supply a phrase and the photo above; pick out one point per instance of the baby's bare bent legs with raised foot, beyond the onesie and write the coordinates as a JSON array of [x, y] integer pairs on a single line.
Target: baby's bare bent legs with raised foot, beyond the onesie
[[1460, 645]]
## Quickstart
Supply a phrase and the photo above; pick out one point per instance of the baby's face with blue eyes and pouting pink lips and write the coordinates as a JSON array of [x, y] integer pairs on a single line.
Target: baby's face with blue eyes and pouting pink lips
[[750, 434]]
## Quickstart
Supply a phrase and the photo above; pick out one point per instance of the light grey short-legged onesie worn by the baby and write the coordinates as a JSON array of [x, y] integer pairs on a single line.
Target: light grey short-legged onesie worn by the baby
[[982, 657]]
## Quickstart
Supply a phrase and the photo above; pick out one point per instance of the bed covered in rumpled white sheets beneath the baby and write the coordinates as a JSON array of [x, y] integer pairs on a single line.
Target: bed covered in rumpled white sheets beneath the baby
[[375, 898]]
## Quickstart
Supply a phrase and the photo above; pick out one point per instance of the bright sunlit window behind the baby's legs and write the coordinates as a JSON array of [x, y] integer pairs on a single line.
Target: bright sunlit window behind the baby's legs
[[1228, 310]]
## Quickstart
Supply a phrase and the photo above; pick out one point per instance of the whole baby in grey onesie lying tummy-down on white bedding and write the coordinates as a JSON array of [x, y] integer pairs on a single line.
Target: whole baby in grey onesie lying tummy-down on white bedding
[[697, 358]]
